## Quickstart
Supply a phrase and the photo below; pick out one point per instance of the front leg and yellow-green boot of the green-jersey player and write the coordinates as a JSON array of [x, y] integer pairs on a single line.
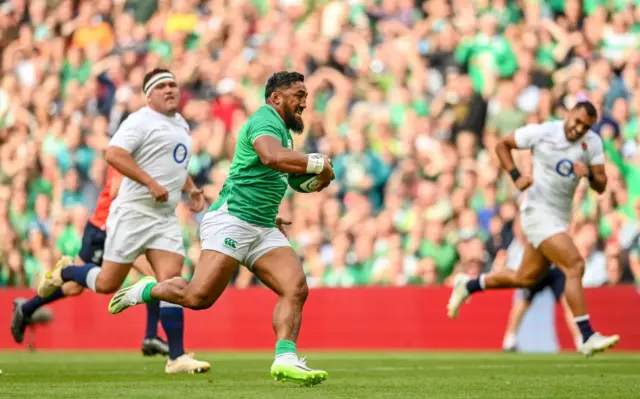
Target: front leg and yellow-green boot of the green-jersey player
[[281, 271]]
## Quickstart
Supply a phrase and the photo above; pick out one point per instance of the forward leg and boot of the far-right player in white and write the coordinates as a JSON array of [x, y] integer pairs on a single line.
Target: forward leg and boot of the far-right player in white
[[561, 250]]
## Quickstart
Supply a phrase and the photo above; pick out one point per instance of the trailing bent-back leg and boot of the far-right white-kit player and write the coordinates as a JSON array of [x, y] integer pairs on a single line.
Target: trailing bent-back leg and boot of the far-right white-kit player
[[530, 271]]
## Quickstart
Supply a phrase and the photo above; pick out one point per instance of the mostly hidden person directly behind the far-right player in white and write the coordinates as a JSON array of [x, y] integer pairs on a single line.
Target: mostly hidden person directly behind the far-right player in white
[[554, 279]]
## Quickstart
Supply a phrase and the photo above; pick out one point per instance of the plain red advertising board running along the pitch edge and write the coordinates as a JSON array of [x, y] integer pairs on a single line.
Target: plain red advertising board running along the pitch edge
[[358, 318]]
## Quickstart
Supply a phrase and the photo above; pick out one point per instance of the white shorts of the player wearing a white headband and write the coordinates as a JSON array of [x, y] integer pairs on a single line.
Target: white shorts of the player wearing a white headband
[[131, 232]]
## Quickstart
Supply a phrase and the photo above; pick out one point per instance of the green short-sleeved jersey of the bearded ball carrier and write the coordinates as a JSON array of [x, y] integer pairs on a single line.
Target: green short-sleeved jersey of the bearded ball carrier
[[253, 191]]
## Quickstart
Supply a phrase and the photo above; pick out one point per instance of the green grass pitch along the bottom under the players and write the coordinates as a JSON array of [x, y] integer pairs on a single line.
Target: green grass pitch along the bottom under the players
[[351, 375]]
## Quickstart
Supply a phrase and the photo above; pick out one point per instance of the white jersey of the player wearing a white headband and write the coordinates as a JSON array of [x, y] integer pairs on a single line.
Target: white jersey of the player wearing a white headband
[[161, 146]]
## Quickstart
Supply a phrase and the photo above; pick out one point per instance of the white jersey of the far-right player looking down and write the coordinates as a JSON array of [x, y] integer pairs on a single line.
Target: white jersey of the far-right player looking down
[[554, 183]]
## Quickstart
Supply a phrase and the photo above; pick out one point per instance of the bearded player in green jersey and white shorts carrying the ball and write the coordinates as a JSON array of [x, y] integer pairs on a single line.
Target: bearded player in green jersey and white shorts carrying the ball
[[243, 227]]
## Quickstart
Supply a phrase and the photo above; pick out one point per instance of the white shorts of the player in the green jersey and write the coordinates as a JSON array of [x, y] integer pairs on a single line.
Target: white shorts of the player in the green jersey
[[238, 239]]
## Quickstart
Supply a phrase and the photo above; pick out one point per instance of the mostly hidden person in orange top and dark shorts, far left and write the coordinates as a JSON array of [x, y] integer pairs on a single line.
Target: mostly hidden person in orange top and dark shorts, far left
[[92, 250]]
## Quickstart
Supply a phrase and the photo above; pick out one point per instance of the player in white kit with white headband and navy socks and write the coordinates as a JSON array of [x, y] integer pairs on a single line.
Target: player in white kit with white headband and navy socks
[[151, 149]]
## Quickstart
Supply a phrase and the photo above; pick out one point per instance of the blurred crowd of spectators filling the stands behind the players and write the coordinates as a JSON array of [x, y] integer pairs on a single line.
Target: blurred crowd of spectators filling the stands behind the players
[[408, 98]]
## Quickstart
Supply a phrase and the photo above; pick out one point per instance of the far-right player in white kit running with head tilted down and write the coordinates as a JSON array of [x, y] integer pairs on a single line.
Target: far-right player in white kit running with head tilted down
[[563, 152]]
